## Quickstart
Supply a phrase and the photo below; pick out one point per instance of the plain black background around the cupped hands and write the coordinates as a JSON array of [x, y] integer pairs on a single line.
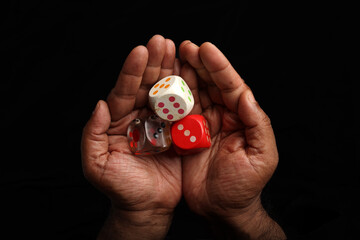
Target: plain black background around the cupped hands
[[59, 57]]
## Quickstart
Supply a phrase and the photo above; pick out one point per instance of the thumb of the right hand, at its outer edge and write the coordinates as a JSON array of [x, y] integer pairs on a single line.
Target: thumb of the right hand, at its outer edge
[[258, 130]]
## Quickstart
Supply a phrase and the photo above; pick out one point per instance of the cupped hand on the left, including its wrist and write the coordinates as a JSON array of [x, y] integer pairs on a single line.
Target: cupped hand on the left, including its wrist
[[144, 190]]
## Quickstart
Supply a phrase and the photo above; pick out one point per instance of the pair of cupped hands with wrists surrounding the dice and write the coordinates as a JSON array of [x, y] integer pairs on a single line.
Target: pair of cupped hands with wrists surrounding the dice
[[222, 183]]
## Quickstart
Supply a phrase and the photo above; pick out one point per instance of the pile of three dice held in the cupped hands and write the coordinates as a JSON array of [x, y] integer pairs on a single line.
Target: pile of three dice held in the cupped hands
[[172, 101]]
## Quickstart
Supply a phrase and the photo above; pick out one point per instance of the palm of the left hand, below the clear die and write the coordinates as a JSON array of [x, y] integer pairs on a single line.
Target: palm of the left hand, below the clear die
[[144, 180]]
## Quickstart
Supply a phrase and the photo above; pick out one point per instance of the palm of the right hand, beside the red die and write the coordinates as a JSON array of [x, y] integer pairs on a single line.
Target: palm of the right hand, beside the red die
[[226, 169]]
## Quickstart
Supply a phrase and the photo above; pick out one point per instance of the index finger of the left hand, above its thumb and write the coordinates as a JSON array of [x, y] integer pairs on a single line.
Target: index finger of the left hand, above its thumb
[[122, 97]]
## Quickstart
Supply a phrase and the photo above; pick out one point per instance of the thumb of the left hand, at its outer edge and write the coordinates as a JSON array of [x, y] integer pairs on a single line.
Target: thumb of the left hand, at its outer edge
[[95, 142]]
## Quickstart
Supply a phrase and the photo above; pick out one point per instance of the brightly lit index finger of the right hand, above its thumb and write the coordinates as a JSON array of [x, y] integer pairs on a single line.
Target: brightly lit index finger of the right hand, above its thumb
[[223, 75]]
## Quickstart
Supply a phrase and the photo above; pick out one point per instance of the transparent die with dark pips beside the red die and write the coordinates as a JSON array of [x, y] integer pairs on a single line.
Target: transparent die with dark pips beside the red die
[[149, 136]]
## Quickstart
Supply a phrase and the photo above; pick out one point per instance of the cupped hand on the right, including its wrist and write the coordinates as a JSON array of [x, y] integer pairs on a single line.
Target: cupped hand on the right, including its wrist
[[225, 181]]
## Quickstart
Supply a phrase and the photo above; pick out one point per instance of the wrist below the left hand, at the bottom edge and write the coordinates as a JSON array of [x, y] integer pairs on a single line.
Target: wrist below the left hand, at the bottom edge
[[145, 224]]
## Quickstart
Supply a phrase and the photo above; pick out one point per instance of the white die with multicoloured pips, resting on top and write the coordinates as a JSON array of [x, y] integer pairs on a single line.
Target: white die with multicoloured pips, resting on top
[[171, 99]]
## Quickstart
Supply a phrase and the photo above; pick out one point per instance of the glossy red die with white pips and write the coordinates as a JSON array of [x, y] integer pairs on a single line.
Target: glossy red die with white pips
[[191, 132]]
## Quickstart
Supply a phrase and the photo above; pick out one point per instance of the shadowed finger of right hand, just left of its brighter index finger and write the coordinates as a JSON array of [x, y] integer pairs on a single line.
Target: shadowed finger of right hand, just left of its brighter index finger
[[189, 52]]
